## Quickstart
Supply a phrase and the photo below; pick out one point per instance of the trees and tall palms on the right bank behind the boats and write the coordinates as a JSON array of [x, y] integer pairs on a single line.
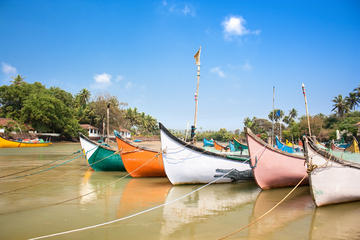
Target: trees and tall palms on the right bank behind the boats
[[324, 127]]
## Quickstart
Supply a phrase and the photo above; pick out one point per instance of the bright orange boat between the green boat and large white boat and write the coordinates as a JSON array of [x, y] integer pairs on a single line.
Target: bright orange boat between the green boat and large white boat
[[140, 161]]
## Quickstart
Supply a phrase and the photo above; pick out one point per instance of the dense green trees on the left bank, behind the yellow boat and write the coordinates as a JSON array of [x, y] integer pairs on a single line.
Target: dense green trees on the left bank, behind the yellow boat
[[53, 110]]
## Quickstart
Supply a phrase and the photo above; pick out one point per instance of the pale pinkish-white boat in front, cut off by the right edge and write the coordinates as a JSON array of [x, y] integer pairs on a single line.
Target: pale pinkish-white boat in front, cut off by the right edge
[[333, 179]]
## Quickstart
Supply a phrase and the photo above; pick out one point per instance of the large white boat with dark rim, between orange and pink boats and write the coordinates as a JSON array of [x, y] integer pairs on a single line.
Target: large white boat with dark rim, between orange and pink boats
[[188, 164]]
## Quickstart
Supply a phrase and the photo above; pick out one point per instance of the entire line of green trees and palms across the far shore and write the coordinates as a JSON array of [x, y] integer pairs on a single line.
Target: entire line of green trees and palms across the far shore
[[55, 110]]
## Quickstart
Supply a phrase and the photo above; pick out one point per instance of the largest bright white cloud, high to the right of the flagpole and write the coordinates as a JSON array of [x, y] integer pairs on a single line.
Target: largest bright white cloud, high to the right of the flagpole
[[235, 26]]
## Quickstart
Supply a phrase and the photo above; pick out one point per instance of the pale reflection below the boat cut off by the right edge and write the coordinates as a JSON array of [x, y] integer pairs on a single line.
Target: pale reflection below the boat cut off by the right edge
[[339, 221]]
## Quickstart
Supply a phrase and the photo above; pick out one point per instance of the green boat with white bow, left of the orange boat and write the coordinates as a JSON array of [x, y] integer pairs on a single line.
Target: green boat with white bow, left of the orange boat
[[101, 157]]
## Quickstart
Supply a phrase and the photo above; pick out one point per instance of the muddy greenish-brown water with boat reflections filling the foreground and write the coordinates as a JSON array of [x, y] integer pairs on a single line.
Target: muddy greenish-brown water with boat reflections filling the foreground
[[27, 205]]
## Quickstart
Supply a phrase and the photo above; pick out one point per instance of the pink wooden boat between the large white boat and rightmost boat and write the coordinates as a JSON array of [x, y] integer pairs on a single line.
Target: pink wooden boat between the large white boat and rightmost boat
[[272, 167]]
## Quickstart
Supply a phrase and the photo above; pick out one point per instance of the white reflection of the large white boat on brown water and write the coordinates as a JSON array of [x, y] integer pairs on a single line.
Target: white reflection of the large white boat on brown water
[[210, 201]]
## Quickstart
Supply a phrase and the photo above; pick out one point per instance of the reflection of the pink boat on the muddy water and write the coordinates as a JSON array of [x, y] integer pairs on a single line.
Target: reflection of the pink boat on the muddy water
[[293, 215]]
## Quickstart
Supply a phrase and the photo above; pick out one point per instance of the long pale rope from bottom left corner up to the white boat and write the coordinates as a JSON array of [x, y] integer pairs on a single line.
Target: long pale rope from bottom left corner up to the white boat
[[130, 216]]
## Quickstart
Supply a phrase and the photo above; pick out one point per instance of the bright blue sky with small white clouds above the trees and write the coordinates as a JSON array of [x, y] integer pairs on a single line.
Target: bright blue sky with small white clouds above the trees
[[142, 52]]
